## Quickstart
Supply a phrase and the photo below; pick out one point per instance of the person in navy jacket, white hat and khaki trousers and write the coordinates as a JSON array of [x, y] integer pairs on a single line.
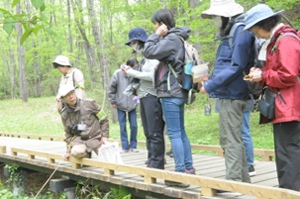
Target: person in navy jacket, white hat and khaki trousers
[[227, 84]]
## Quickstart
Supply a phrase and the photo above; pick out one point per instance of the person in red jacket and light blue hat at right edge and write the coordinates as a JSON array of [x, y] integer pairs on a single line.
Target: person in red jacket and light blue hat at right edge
[[280, 73]]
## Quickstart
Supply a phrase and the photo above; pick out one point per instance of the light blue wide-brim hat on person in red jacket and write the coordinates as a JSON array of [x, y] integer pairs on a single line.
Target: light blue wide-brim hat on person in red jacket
[[258, 13]]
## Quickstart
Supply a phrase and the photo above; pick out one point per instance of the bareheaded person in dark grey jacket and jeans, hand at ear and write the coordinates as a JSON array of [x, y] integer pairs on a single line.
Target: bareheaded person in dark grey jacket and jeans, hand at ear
[[167, 47]]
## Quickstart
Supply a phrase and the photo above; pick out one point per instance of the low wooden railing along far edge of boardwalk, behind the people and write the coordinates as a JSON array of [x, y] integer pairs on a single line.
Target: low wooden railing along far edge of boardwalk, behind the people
[[267, 155]]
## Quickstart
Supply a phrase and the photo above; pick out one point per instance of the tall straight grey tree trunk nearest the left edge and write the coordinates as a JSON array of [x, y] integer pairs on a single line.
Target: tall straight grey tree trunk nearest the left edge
[[22, 74]]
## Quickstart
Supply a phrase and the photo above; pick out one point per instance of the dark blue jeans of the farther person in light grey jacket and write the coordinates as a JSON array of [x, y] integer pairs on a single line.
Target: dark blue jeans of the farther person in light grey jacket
[[133, 128]]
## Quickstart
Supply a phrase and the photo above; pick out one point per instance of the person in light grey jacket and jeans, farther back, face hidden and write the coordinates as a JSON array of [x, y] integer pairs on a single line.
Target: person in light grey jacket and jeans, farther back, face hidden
[[124, 105]]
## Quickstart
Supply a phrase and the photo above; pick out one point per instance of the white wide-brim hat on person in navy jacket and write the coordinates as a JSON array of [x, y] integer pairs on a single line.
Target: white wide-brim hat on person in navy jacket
[[225, 8]]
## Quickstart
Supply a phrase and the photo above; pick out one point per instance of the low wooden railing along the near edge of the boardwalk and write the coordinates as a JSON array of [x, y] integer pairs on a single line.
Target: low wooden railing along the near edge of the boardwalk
[[208, 185]]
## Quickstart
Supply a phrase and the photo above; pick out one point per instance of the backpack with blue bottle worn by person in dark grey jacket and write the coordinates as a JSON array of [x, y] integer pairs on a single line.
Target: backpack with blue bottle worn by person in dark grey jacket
[[191, 58]]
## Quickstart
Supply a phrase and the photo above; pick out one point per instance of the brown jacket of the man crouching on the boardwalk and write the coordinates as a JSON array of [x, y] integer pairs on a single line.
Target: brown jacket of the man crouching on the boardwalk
[[85, 112]]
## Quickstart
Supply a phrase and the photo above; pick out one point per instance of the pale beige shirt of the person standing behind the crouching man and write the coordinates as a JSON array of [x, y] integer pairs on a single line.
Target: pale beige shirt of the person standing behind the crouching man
[[78, 82]]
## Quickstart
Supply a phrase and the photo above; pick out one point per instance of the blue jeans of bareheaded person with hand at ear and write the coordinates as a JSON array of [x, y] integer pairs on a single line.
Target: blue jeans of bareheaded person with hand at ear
[[173, 109]]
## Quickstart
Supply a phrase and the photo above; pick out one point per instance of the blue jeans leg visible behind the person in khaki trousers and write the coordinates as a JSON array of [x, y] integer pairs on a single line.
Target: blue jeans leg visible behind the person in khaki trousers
[[246, 135]]
